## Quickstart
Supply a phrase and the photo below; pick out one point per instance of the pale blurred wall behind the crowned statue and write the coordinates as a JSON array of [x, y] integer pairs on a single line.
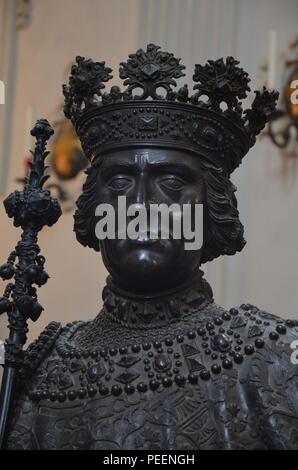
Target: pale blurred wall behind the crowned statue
[[35, 59]]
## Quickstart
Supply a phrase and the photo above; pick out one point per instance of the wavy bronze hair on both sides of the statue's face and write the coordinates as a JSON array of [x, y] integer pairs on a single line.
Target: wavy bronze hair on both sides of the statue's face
[[223, 231]]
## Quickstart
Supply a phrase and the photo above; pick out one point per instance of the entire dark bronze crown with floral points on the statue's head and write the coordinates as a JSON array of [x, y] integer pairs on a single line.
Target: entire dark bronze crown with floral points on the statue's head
[[216, 128]]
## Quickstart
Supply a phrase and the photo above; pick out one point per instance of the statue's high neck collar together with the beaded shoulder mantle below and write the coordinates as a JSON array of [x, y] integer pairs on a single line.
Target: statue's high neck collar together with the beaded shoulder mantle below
[[134, 346]]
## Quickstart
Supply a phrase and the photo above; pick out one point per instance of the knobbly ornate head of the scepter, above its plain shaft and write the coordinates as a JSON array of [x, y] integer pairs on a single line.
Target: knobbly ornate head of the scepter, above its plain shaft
[[31, 209]]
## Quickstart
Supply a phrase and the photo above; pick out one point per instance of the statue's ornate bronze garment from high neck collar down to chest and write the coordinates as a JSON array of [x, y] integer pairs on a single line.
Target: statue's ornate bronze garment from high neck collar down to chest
[[174, 372]]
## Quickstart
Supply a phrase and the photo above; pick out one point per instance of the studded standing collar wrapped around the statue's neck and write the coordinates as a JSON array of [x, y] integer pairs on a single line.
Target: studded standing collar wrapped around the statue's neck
[[157, 308]]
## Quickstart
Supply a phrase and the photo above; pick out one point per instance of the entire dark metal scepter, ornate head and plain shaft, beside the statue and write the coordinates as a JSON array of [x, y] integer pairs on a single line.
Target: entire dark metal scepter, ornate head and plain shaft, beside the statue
[[31, 209]]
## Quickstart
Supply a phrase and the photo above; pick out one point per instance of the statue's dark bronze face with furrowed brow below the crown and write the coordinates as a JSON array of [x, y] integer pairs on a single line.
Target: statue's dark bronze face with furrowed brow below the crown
[[146, 176]]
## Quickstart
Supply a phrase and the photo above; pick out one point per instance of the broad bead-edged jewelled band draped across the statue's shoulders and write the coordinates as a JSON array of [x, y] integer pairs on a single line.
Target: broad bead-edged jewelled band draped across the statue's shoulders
[[200, 354]]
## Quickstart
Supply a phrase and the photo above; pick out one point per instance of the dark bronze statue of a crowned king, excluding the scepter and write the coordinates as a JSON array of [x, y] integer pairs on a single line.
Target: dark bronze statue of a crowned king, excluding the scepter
[[162, 366]]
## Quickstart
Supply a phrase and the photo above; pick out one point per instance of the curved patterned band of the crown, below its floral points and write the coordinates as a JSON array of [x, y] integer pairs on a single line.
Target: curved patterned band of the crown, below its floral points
[[162, 124]]
